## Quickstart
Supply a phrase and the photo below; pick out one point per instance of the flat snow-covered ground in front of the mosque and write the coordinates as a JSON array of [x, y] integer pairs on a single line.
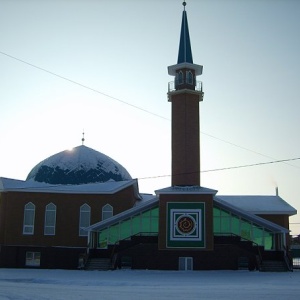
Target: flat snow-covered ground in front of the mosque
[[134, 284]]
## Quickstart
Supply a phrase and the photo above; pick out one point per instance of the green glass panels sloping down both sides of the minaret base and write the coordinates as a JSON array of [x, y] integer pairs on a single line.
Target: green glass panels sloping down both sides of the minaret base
[[224, 222]]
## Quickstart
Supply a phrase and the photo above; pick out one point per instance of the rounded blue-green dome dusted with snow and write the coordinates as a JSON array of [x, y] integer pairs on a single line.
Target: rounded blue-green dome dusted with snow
[[78, 166]]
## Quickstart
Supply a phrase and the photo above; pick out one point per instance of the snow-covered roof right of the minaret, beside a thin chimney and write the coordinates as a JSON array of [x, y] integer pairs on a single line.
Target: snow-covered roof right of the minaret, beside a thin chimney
[[260, 205]]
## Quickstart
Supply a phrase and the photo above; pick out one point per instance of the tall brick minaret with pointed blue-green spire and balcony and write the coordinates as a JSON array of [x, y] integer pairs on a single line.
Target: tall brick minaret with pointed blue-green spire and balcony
[[185, 93]]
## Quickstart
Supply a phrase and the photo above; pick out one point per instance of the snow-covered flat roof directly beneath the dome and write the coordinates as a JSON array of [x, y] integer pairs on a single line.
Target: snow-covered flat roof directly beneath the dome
[[109, 187]]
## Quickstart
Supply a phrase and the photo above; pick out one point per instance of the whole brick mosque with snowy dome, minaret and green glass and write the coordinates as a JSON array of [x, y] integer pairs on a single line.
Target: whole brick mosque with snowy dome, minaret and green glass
[[81, 209]]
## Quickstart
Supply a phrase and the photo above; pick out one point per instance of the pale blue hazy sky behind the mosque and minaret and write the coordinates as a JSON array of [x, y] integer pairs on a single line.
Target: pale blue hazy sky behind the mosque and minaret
[[101, 67]]
